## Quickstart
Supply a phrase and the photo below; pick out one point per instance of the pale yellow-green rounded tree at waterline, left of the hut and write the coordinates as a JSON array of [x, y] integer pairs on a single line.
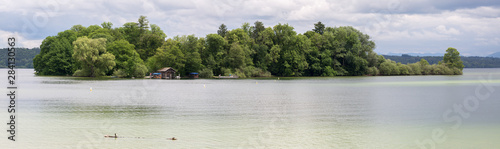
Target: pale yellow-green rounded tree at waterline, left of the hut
[[91, 57]]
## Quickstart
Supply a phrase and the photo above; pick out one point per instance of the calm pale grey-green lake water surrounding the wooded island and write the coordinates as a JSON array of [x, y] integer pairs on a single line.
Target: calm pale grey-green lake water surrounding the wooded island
[[339, 112]]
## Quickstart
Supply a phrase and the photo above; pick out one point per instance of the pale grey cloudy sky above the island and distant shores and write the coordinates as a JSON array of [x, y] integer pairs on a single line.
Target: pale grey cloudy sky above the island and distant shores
[[396, 26]]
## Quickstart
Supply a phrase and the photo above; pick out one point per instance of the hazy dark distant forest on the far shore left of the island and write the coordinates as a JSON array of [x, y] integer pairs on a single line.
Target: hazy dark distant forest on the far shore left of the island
[[24, 57]]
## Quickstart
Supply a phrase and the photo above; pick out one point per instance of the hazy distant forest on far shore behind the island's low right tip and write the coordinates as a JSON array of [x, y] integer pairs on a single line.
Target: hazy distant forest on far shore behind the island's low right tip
[[468, 61]]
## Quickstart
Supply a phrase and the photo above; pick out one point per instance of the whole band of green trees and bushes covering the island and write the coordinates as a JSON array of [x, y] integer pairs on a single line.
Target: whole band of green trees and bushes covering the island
[[137, 49]]
